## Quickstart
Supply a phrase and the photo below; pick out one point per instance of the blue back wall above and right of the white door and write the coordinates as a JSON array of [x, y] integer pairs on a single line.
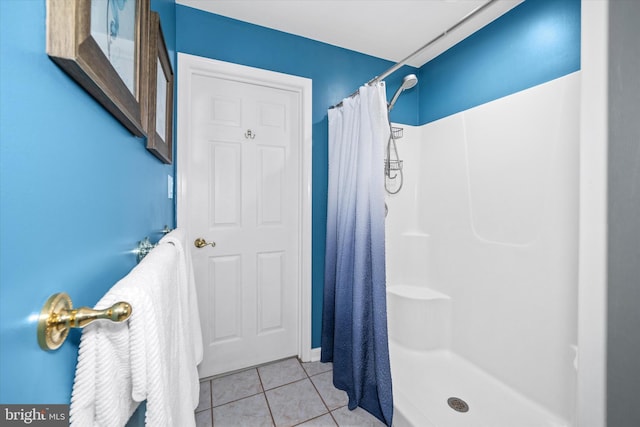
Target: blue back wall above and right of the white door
[[336, 73]]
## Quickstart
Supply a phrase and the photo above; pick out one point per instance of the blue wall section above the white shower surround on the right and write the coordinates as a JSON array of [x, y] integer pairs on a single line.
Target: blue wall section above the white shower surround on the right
[[537, 41]]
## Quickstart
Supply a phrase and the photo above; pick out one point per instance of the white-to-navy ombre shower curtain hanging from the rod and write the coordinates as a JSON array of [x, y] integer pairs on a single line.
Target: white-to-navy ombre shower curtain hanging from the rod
[[354, 318]]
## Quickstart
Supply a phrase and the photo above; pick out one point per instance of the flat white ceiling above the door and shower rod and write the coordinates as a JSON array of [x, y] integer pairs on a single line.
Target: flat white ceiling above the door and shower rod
[[388, 29]]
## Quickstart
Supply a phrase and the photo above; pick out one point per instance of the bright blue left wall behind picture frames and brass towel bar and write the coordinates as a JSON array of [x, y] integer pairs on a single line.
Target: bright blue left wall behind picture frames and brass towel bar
[[78, 192]]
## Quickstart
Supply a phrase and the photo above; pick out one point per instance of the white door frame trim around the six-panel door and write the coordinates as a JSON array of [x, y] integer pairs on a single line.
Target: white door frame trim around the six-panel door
[[189, 65]]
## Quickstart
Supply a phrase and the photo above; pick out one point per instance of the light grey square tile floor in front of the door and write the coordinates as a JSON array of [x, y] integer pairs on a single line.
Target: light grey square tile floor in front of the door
[[282, 394]]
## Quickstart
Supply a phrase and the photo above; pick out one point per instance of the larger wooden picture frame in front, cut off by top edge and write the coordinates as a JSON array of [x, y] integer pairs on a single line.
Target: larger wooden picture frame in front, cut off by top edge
[[102, 45]]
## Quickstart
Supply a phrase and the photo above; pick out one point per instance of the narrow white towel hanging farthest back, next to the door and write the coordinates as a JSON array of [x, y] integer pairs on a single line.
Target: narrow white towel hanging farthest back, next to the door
[[192, 331]]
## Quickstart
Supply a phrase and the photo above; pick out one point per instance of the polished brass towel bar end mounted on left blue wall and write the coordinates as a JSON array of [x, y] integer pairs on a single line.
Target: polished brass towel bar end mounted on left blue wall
[[58, 316]]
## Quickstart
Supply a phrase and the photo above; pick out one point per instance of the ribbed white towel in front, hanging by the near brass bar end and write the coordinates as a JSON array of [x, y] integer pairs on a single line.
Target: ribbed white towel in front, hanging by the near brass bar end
[[120, 365]]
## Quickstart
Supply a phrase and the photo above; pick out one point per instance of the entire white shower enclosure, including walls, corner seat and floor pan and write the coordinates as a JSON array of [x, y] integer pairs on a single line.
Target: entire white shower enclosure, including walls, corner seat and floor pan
[[482, 263]]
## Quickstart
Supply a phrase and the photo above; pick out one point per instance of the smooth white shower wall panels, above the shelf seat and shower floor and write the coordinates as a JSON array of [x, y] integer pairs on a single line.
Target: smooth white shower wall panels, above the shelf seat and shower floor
[[492, 197]]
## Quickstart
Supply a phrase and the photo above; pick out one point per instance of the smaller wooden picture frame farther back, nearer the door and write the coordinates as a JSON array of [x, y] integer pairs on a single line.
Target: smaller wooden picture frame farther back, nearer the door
[[159, 111]]
